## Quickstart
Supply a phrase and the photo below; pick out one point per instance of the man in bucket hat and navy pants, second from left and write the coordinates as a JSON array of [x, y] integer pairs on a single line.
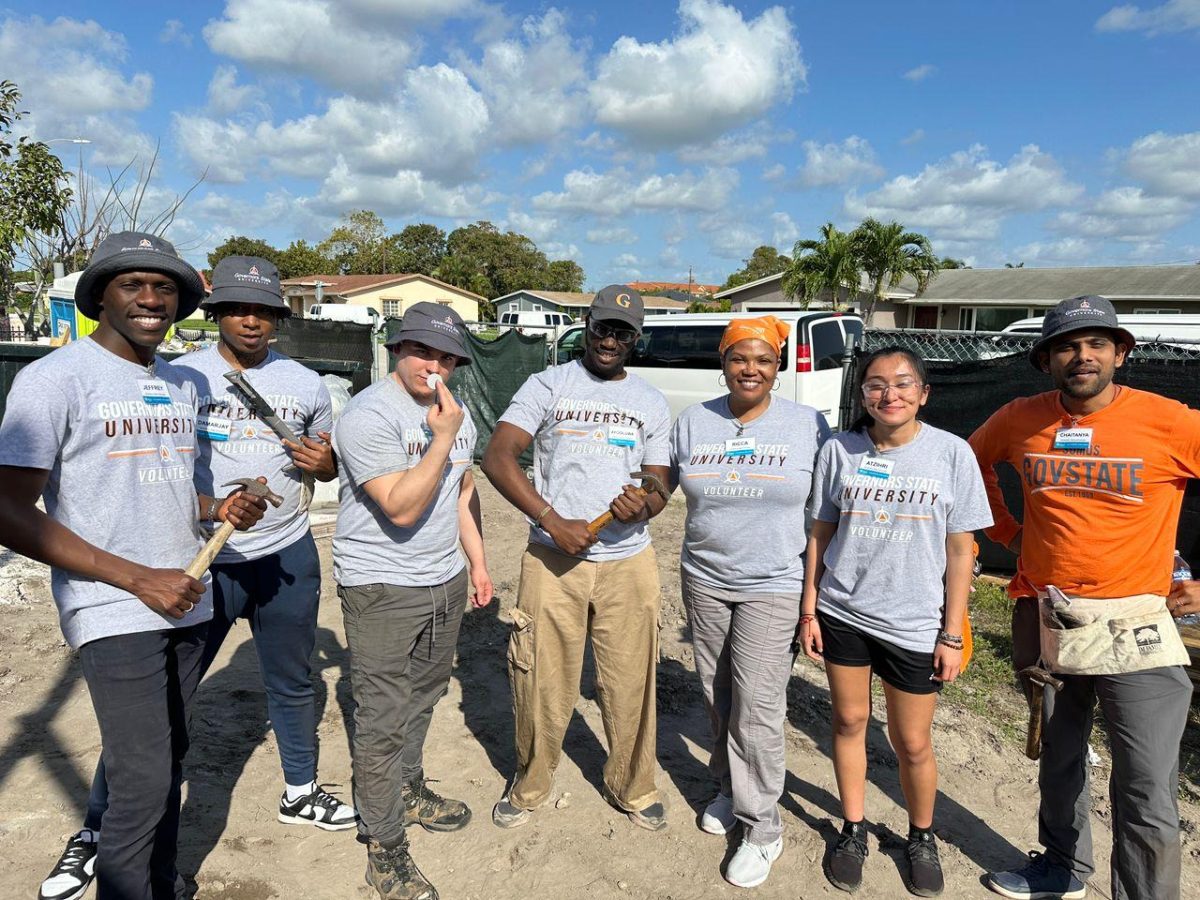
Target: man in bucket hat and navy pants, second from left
[[269, 577]]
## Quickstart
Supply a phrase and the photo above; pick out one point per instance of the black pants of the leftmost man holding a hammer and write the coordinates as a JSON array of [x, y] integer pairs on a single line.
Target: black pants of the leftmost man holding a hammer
[[142, 687]]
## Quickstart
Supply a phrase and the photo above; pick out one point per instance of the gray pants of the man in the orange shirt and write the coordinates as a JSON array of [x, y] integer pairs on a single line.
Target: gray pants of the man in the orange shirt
[[1145, 713]]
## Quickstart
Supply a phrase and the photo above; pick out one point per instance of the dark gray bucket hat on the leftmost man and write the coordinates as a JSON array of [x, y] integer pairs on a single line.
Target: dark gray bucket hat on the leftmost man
[[131, 253]]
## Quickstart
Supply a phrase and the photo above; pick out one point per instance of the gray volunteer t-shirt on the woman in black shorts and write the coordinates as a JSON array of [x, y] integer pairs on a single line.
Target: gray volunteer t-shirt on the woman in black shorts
[[886, 565]]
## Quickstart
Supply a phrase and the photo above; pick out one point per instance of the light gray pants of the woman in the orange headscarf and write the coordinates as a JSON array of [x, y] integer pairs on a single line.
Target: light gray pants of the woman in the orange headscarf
[[742, 646]]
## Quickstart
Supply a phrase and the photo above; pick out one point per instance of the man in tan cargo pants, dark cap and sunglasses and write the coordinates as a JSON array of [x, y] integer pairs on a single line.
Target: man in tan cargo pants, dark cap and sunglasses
[[592, 424]]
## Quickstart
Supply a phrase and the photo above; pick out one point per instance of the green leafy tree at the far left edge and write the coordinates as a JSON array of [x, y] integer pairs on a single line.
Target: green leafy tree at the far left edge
[[34, 194]]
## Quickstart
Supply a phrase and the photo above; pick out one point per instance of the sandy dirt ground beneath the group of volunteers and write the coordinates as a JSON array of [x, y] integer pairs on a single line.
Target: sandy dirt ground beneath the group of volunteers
[[236, 849]]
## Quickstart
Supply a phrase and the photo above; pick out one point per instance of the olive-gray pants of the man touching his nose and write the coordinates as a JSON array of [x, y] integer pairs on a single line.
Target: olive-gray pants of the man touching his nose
[[403, 644]]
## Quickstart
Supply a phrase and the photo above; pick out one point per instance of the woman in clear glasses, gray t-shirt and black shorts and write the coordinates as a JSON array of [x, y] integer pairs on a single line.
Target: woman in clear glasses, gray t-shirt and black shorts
[[890, 566]]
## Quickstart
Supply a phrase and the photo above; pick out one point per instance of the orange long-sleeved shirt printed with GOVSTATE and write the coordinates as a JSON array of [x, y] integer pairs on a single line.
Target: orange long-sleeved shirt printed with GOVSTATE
[[1101, 521]]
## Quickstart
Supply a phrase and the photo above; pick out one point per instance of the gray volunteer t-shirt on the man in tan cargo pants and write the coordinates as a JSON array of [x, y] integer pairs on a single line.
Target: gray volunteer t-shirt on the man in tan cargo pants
[[590, 434]]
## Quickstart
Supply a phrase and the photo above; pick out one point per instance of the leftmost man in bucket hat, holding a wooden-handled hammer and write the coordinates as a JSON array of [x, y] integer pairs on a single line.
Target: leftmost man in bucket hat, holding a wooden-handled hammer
[[104, 431]]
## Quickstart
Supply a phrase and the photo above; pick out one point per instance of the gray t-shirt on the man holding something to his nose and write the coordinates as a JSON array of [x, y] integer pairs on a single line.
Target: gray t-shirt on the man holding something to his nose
[[383, 430]]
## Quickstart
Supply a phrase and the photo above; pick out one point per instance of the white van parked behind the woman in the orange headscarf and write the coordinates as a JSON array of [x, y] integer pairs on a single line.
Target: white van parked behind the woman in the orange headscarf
[[679, 356]]
